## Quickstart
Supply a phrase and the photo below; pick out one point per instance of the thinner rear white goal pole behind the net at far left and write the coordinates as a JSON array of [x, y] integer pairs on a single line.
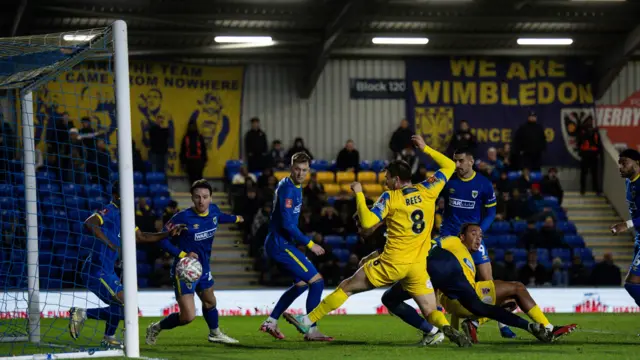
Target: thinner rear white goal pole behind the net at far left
[[31, 209]]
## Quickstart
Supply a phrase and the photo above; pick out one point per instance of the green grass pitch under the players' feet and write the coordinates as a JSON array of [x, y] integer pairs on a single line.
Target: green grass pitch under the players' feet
[[600, 336]]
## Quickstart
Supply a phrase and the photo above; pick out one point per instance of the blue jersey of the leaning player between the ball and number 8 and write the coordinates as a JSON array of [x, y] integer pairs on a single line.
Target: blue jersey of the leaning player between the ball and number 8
[[287, 204]]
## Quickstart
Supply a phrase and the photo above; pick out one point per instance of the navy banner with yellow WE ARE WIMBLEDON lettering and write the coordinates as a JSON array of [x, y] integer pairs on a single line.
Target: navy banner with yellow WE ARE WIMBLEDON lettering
[[495, 95]]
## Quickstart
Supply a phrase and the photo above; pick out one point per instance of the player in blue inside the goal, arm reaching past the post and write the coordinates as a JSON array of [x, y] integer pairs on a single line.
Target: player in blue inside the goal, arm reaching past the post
[[98, 272]]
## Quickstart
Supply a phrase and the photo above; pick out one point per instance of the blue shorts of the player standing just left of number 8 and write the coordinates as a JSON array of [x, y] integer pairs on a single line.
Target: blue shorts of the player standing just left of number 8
[[290, 259]]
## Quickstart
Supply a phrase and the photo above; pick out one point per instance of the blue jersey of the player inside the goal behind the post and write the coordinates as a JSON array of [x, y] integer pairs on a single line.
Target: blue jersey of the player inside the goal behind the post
[[102, 257]]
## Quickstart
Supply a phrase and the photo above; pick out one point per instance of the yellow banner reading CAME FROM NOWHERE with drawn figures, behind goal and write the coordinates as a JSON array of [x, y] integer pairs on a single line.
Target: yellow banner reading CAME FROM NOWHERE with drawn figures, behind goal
[[171, 95]]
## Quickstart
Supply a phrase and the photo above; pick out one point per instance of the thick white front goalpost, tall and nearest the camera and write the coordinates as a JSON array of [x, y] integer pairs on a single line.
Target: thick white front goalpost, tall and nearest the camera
[[125, 168]]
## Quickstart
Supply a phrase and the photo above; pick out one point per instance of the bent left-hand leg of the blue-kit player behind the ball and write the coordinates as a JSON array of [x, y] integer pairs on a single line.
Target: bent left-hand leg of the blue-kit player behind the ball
[[184, 296]]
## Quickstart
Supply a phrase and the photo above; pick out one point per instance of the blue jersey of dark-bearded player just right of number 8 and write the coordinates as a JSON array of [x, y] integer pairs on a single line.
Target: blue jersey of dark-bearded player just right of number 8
[[465, 201]]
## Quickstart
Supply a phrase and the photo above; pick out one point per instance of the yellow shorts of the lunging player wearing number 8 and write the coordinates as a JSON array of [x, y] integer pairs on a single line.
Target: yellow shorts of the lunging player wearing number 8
[[413, 277]]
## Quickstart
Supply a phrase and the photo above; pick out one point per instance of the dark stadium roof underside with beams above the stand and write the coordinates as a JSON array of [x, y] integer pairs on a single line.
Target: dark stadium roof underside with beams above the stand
[[312, 31]]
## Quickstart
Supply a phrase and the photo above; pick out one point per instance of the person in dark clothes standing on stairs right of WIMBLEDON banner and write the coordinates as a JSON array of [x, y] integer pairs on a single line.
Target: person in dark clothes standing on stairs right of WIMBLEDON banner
[[589, 149]]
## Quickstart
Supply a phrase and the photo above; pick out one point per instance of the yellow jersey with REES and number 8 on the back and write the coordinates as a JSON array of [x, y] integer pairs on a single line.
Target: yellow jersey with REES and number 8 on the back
[[409, 215]]
